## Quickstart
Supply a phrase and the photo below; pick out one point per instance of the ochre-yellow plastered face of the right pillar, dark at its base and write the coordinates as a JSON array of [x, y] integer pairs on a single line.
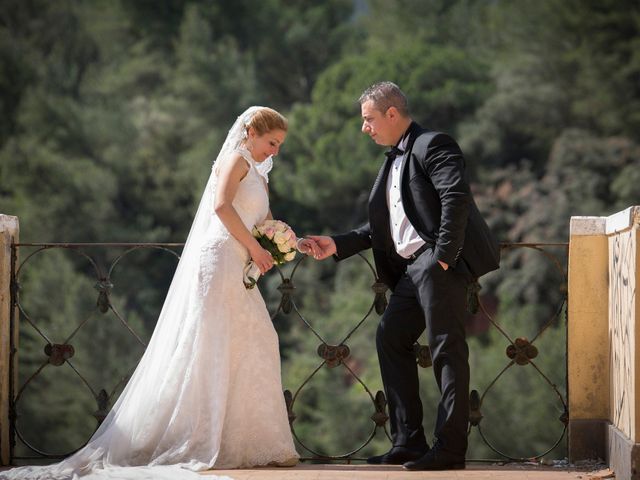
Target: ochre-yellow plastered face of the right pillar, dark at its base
[[587, 345]]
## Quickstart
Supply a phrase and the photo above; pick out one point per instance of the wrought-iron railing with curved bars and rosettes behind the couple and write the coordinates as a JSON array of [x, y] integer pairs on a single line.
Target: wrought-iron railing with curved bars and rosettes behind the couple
[[520, 352]]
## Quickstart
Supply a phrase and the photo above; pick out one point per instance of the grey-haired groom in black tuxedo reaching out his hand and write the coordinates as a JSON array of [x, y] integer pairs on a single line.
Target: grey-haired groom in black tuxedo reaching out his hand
[[429, 241]]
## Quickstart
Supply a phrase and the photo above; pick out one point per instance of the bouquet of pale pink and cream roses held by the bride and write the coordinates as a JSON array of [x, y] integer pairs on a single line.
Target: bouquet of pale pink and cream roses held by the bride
[[279, 240]]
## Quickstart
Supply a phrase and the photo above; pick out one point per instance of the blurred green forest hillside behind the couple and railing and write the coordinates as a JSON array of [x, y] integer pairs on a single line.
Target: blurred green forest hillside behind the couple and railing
[[113, 111]]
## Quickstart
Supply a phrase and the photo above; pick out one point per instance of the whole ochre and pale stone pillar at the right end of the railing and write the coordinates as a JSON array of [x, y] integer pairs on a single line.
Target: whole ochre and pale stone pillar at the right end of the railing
[[604, 341]]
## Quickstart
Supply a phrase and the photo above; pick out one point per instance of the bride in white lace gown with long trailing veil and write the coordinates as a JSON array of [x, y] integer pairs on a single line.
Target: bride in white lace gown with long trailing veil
[[207, 392]]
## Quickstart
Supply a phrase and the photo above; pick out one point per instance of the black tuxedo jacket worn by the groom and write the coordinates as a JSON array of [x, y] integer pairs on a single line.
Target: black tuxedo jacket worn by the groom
[[438, 203]]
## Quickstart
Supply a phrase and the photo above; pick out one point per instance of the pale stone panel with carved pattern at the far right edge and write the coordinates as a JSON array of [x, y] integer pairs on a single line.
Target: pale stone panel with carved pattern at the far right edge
[[623, 231]]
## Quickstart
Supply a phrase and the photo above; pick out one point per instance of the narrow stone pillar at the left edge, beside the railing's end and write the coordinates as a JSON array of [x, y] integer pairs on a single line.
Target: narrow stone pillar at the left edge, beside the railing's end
[[9, 230]]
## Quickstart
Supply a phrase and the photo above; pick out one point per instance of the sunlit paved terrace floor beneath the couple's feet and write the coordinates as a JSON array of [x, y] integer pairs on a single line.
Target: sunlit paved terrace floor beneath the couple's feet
[[371, 472]]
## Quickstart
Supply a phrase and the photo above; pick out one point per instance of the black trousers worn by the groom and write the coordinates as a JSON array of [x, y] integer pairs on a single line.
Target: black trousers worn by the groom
[[428, 297]]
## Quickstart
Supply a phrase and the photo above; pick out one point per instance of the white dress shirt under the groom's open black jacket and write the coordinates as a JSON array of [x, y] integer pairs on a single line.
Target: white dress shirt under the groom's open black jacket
[[405, 237]]
